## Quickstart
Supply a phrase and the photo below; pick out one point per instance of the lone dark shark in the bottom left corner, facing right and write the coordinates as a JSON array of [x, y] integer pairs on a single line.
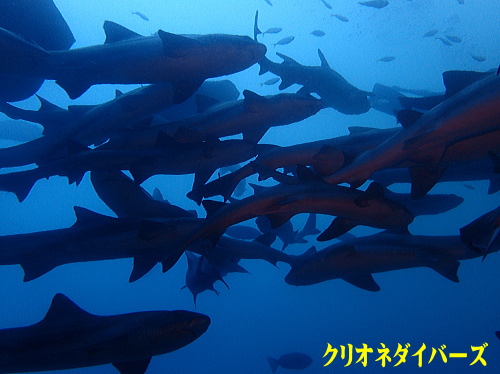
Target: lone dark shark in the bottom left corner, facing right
[[69, 337]]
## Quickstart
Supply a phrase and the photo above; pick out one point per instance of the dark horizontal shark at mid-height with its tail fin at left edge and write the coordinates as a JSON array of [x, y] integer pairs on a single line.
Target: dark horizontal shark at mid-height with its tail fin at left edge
[[166, 157]]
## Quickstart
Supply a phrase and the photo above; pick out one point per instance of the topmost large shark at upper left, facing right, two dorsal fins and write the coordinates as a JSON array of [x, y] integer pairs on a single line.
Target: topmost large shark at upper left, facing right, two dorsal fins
[[127, 57]]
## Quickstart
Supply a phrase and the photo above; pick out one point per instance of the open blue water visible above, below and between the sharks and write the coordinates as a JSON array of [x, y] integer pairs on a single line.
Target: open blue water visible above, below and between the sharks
[[260, 315]]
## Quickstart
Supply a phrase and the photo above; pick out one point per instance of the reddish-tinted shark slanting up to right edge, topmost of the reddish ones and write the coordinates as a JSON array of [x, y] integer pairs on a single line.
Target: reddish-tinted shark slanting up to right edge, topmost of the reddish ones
[[470, 118]]
